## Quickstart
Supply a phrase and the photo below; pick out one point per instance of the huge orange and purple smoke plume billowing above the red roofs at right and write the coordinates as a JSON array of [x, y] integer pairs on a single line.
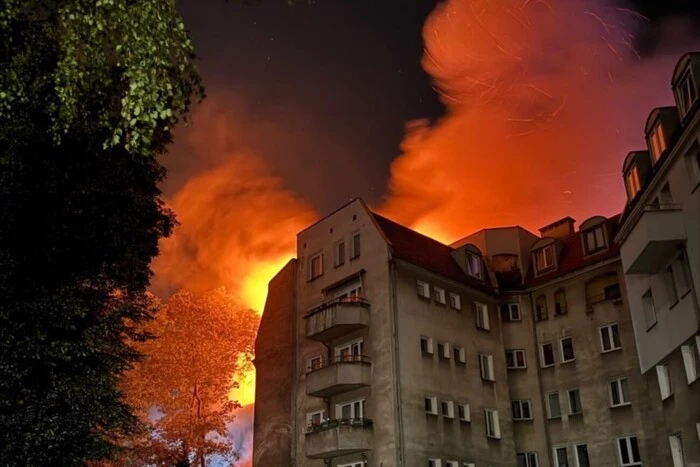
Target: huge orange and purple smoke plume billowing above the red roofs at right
[[544, 100]]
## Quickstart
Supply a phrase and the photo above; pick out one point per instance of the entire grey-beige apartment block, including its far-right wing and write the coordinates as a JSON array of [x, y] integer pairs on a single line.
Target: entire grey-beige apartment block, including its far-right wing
[[379, 346]]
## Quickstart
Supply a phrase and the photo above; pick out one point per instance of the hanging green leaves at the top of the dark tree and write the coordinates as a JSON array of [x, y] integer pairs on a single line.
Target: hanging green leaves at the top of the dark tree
[[137, 52]]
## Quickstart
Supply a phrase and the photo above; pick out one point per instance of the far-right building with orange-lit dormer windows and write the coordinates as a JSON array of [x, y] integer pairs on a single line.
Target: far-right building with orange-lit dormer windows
[[660, 247]]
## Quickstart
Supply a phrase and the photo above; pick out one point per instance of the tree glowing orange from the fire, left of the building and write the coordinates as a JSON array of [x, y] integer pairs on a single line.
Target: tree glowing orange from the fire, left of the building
[[182, 388]]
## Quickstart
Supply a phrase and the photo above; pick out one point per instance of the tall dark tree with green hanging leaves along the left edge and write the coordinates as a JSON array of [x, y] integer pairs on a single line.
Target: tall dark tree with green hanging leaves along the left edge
[[89, 92]]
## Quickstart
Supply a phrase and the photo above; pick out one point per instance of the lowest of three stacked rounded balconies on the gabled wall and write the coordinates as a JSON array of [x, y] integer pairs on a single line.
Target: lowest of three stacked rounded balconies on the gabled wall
[[339, 437]]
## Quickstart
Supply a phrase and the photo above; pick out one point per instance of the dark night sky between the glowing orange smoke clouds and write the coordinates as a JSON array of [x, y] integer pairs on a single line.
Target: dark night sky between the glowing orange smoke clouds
[[323, 92]]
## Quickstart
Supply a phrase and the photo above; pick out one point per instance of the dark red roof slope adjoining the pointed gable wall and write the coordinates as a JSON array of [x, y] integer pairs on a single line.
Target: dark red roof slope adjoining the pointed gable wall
[[426, 252]]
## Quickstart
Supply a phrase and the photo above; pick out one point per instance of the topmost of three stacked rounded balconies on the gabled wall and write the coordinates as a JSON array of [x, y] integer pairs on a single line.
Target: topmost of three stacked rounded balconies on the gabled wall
[[336, 318]]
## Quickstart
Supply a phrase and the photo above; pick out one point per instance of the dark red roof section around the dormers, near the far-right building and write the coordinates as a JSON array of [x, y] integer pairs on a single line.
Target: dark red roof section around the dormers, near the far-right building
[[572, 257]]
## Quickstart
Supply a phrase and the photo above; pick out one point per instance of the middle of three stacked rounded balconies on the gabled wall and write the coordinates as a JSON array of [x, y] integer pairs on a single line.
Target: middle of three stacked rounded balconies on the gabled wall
[[340, 374]]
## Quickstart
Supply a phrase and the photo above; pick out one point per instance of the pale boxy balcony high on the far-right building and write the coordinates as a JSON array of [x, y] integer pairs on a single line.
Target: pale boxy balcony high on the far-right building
[[654, 239]]
